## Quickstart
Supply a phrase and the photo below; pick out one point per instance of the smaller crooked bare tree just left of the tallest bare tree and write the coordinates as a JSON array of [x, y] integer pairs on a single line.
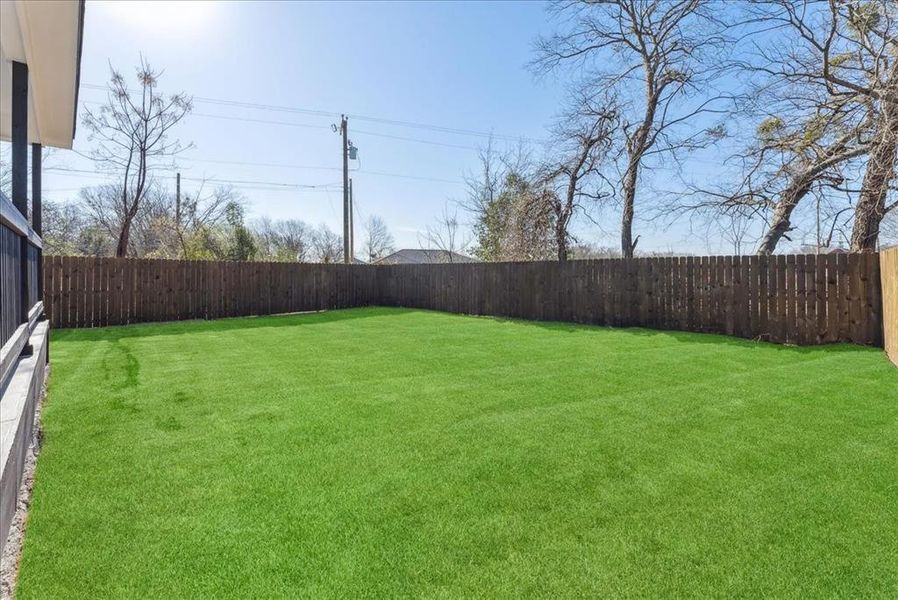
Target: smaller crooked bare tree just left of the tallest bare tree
[[585, 140]]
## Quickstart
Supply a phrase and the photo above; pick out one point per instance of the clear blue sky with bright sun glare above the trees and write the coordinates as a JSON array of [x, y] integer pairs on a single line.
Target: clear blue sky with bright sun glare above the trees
[[454, 65]]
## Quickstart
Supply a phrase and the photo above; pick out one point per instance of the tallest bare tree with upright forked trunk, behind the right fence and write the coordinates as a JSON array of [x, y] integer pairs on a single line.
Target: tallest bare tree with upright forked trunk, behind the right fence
[[654, 56]]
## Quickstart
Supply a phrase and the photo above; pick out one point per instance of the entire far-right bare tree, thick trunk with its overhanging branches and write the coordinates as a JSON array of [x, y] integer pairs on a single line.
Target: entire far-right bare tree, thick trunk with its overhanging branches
[[849, 49]]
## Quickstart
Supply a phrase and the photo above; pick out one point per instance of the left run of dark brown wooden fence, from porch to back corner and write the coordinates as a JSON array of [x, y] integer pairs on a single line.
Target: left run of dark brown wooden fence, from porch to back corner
[[93, 292]]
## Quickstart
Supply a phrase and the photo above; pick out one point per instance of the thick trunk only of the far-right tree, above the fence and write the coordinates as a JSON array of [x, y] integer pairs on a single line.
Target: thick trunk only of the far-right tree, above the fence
[[880, 171]]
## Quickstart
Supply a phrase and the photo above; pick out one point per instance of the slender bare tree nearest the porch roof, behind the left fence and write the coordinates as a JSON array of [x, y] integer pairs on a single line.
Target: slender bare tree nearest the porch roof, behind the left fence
[[131, 131]]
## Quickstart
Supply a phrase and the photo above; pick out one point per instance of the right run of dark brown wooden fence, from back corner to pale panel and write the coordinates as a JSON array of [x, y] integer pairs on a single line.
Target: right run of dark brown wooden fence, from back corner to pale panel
[[803, 299]]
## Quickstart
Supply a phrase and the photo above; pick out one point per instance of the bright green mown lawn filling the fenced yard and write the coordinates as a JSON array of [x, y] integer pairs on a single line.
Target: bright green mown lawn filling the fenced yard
[[388, 452]]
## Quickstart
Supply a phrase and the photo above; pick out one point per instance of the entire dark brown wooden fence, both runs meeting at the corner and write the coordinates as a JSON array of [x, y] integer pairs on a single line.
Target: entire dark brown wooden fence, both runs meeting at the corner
[[801, 299]]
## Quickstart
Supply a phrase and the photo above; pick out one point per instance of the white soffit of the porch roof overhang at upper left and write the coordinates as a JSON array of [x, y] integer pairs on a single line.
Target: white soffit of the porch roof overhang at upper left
[[45, 35]]
